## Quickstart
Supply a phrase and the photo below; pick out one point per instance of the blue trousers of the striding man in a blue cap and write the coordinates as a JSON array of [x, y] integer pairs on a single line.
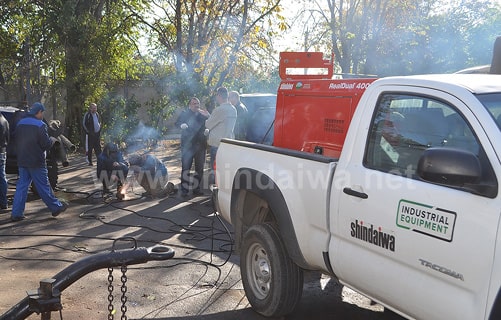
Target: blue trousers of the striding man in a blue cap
[[41, 182]]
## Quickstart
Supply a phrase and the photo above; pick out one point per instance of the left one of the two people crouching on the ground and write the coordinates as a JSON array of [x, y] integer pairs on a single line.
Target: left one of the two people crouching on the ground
[[112, 168]]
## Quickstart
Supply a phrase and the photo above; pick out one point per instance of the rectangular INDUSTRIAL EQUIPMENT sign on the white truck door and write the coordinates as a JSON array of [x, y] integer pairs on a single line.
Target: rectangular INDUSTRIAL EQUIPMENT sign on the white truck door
[[426, 219]]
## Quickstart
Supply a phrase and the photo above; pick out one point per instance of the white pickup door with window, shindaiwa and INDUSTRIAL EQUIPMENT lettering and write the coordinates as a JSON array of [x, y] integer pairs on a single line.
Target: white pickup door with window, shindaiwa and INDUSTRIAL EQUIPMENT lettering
[[423, 247]]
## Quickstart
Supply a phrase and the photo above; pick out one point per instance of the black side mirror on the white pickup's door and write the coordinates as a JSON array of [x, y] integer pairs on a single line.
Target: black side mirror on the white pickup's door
[[451, 167]]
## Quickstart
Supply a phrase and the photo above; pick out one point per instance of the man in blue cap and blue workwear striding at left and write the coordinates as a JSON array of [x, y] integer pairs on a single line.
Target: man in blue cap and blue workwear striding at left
[[32, 142]]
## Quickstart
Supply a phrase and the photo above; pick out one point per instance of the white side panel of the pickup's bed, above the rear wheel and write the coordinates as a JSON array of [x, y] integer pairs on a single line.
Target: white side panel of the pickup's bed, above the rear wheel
[[302, 175]]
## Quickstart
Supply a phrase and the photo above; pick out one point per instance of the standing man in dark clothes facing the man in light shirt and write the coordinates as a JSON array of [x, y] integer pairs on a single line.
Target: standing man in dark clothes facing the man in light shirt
[[193, 145]]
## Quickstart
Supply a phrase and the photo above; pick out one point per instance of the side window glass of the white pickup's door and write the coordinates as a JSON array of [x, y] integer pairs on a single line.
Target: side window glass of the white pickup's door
[[406, 125]]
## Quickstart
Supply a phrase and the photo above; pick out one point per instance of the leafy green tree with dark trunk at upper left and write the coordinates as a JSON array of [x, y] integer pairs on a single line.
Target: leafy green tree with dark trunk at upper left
[[85, 44]]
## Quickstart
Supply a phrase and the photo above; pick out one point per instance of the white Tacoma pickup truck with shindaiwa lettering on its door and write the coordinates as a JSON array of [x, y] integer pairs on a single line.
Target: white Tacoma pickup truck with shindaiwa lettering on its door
[[408, 214]]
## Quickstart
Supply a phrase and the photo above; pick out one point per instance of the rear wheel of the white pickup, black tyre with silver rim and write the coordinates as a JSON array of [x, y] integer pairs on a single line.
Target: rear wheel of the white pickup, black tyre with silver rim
[[273, 283]]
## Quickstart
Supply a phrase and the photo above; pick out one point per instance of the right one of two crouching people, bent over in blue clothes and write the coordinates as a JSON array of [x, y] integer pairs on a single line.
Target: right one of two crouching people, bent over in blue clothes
[[151, 174]]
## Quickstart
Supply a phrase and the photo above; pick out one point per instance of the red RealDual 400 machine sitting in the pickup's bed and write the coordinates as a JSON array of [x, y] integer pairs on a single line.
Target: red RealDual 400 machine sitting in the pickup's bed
[[313, 110]]
